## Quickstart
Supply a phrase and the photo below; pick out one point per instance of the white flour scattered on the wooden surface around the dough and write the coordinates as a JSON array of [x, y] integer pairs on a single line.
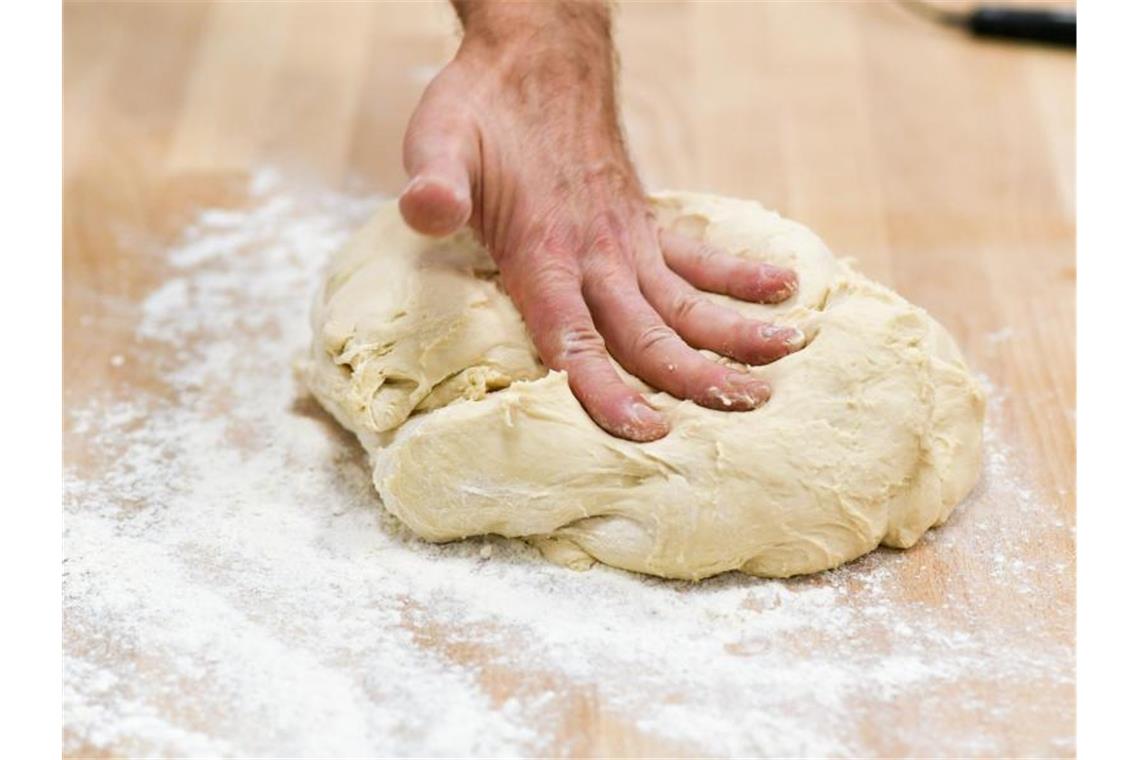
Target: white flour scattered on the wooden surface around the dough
[[233, 585]]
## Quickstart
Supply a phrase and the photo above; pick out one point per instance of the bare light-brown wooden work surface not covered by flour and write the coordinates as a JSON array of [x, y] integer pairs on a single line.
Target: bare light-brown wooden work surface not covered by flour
[[944, 166]]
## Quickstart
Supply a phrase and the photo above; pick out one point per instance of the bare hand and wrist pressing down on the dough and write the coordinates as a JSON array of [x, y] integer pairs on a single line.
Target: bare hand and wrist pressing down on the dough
[[519, 137]]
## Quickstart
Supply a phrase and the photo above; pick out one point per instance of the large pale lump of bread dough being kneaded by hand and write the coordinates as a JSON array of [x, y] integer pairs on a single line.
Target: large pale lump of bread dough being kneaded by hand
[[873, 434]]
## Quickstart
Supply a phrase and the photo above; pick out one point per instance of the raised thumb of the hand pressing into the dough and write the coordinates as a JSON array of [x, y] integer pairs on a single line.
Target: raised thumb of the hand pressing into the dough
[[439, 157]]
